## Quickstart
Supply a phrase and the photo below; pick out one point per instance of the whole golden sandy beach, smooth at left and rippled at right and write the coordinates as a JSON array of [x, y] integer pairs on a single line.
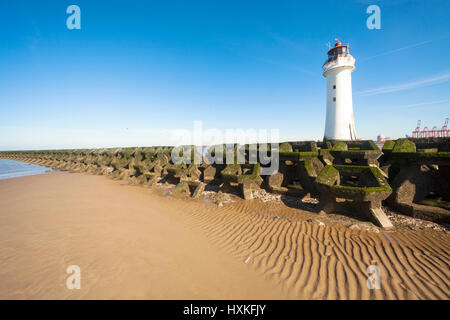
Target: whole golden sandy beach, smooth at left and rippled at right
[[133, 242]]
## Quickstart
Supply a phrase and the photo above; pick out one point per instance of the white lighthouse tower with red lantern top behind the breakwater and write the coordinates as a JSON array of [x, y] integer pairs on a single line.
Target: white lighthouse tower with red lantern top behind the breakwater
[[338, 69]]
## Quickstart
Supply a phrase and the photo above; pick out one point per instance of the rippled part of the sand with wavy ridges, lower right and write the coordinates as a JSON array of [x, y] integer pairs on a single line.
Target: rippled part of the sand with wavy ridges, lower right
[[326, 262]]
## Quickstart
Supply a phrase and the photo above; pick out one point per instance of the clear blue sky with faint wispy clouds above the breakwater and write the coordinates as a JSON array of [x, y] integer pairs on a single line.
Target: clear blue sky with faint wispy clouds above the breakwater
[[138, 69]]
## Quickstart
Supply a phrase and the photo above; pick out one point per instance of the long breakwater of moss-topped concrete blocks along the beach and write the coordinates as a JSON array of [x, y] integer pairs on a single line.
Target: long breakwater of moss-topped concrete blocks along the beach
[[411, 176]]
